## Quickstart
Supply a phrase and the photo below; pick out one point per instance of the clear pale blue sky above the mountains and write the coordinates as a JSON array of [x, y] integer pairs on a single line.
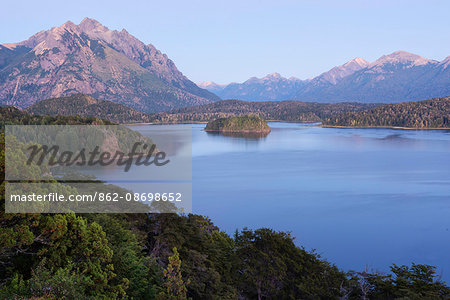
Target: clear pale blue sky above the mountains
[[226, 41]]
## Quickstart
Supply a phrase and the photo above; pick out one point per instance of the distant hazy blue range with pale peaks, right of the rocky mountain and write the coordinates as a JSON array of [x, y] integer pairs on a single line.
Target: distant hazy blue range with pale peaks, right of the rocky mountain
[[397, 77]]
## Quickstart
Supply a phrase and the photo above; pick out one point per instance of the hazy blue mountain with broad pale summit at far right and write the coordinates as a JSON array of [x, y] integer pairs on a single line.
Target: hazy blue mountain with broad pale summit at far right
[[400, 76]]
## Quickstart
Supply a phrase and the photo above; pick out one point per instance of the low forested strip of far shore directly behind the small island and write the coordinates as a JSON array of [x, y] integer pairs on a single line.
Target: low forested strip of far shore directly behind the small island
[[290, 111]]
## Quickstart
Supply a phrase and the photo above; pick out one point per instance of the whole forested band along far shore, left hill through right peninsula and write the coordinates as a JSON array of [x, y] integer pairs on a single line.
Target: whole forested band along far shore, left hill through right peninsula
[[432, 113]]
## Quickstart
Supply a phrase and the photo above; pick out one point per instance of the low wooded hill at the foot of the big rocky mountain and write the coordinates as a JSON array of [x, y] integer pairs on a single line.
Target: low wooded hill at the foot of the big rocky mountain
[[86, 106]]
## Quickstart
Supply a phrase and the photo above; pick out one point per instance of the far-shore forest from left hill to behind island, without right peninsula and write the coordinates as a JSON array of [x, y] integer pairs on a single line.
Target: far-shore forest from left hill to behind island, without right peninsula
[[291, 111]]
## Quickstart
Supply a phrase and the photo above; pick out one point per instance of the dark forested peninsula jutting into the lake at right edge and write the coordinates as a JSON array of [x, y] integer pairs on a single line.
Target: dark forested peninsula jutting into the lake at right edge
[[432, 113]]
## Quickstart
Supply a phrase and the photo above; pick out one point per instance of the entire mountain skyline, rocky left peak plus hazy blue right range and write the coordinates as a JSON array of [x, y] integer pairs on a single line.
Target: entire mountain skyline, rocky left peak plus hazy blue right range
[[113, 65]]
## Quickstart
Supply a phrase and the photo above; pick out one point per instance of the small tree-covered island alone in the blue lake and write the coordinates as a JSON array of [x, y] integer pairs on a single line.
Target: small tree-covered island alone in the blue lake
[[239, 124]]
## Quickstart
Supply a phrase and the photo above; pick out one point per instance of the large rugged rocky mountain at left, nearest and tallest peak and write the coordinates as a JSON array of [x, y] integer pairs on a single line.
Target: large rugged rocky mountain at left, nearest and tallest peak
[[91, 59]]
